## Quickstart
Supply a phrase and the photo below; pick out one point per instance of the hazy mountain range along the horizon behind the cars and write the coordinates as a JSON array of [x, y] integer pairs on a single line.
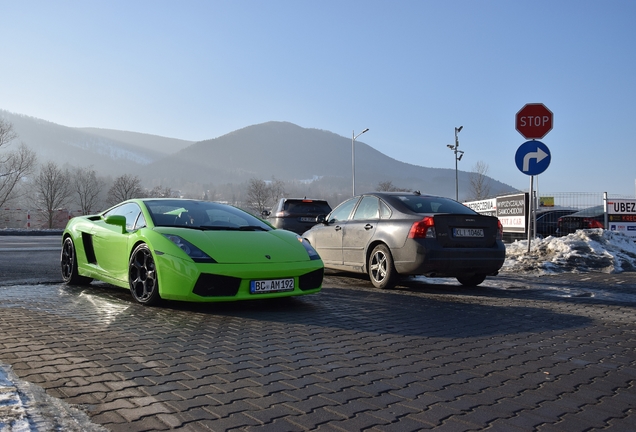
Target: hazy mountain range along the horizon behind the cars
[[309, 161]]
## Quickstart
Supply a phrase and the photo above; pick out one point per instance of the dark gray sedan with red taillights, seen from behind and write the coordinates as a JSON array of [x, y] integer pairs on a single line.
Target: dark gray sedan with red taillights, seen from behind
[[388, 234]]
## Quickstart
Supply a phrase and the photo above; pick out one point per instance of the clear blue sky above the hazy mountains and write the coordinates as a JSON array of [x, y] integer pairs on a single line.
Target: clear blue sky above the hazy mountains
[[411, 71]]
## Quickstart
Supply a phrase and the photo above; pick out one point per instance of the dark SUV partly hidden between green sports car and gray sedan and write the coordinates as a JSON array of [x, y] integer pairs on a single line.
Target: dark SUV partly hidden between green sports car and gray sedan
[[297, 214]]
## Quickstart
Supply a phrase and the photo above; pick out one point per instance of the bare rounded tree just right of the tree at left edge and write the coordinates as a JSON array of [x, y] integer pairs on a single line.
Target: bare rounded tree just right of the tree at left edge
[[52, 191]]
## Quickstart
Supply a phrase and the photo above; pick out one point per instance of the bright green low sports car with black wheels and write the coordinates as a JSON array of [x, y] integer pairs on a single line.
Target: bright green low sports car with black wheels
[[178, 249]]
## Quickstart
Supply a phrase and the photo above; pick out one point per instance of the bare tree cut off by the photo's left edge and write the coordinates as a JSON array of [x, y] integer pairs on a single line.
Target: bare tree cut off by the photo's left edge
[[14, 165]]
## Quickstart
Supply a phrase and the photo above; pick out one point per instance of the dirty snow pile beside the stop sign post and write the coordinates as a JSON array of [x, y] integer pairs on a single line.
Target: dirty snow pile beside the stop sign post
[[593, 250]]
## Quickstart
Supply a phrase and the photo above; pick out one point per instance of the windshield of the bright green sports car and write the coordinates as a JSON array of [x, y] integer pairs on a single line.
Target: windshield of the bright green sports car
[[203, 215]]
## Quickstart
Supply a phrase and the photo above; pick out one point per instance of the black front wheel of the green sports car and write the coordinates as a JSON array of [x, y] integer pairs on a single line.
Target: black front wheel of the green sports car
[[142, 276]]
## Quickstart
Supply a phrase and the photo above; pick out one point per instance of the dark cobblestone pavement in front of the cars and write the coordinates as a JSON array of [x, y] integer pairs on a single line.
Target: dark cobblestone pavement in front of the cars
[[526, 353]]
